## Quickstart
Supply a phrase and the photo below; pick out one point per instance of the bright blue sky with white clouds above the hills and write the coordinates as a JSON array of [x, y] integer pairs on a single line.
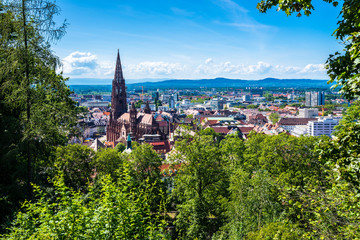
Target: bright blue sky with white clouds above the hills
[[182, 39]]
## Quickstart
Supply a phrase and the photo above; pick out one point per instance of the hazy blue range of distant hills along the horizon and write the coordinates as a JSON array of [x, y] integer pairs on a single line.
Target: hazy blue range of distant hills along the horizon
[[208, 83]]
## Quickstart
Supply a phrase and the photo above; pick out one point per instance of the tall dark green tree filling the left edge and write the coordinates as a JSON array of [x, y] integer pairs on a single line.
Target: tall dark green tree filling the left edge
[[34, 98]]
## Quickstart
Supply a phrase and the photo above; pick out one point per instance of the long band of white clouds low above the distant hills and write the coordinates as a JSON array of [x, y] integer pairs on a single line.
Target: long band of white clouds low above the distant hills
[[86, 65]]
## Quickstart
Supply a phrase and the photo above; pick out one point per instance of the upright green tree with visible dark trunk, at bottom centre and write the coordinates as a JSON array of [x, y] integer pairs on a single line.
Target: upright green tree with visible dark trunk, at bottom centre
[[200, 187]]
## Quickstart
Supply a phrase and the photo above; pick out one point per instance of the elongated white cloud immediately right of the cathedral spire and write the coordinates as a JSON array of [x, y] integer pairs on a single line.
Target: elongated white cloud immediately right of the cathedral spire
[[154, 68]]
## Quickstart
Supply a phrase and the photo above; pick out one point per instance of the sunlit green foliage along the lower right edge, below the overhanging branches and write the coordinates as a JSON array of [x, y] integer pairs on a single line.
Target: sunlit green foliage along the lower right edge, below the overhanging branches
[[335, 206]]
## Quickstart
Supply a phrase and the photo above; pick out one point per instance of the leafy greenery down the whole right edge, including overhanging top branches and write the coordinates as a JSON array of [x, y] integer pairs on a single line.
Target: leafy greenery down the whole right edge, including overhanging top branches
[[332, 203]]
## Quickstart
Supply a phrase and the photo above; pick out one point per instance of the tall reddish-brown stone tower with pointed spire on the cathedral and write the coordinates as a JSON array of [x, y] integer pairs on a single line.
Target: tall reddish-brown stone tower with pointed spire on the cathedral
[[118, 95]]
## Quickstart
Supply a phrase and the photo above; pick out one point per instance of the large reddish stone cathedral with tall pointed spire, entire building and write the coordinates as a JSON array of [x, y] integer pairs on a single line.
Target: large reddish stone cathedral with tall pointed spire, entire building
[[122, 123]]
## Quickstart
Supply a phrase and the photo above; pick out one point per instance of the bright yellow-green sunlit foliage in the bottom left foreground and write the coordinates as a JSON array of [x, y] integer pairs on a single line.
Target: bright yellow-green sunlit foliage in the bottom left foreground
[[109, 211]]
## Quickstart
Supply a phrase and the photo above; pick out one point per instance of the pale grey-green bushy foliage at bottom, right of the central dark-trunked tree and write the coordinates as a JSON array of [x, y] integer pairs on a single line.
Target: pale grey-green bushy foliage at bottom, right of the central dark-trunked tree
[[253, 202]]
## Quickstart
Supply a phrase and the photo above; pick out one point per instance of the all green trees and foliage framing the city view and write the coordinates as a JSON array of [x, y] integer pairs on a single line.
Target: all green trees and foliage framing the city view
[[267, 187]]
